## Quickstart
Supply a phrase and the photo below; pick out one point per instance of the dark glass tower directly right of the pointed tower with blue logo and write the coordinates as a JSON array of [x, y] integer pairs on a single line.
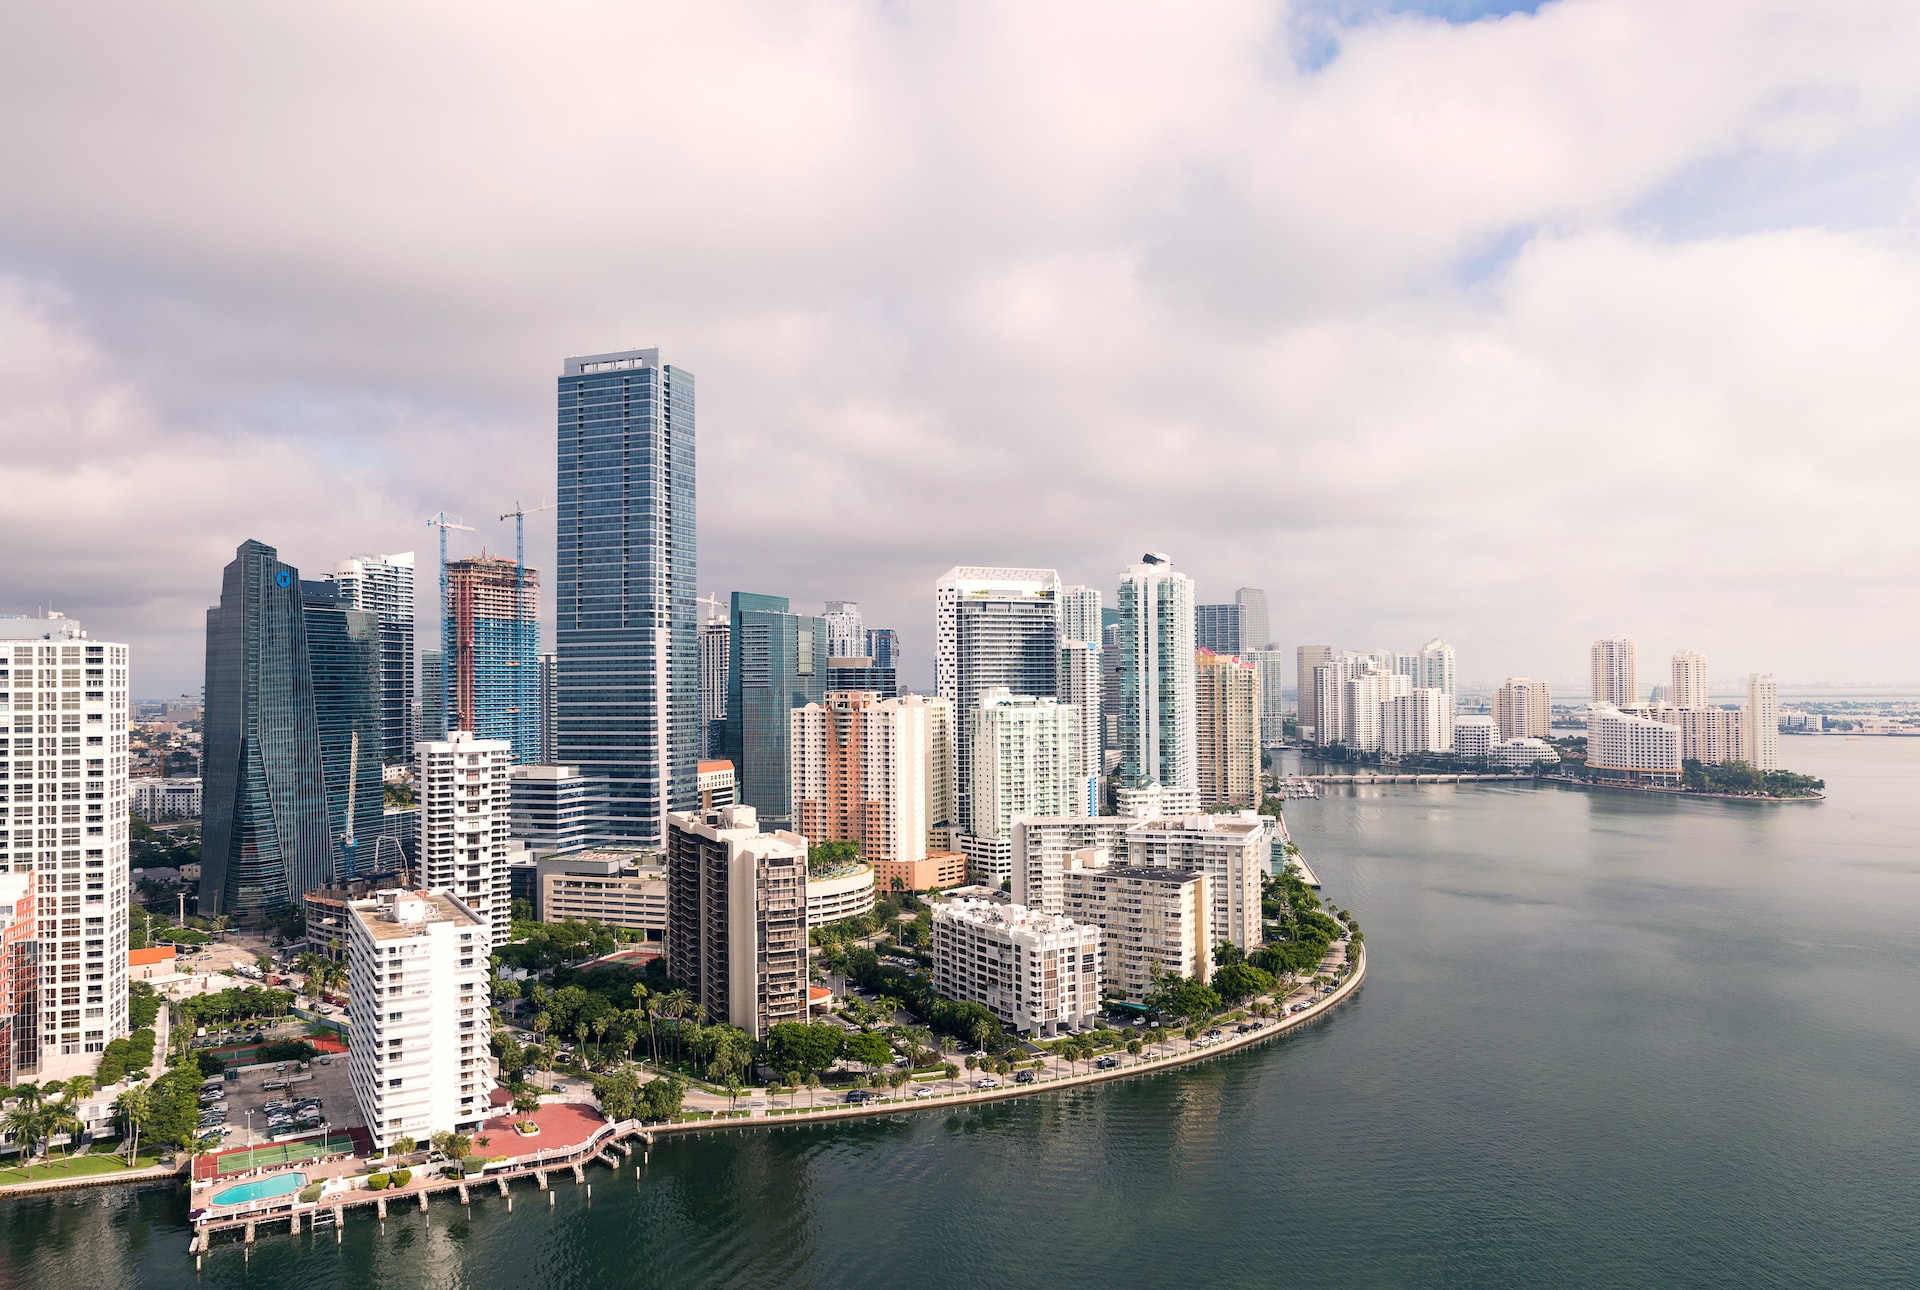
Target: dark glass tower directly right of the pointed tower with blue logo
[[347, 661]]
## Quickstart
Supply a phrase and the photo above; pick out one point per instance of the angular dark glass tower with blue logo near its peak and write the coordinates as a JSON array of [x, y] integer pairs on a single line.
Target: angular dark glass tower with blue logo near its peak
[[264, 805]]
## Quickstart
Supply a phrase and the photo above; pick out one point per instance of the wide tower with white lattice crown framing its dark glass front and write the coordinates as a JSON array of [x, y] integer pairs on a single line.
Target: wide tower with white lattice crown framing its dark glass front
[[997, 629]]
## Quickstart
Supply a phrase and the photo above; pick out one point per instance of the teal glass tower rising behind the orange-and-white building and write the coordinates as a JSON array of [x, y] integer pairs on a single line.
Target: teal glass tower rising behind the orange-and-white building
[[779, 663]]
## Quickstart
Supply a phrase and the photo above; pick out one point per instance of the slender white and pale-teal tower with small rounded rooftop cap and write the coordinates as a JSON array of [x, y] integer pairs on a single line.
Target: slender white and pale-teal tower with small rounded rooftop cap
[[1157, 688]]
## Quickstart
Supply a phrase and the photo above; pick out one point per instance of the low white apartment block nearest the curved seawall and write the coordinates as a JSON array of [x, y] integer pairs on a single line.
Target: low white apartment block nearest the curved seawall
[[1036, 972]]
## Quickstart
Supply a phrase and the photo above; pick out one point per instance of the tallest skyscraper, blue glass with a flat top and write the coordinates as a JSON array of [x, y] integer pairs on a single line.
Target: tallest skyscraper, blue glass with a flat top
[[627, 634]]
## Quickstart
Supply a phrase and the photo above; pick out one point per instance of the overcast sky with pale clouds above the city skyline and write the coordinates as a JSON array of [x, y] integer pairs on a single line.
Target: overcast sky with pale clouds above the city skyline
[[1514, 327]]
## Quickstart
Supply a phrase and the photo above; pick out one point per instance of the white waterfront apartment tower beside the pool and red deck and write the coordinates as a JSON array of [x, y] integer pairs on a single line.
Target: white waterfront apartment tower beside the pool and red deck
[[418, 984]]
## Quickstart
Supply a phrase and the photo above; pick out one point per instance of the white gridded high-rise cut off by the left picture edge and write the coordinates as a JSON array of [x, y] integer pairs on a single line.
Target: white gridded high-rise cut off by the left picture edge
[[64, 723]]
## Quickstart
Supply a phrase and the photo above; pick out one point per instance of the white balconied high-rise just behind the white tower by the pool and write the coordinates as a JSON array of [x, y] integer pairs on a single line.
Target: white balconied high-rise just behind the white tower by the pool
[[466, 823]]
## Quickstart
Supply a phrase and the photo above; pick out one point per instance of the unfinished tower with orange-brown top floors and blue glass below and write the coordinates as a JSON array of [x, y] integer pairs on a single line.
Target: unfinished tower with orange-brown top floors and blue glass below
[[492, 633]]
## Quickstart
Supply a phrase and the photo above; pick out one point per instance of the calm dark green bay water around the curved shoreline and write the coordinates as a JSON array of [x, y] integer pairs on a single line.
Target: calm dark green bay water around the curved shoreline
[[1604, 1041]]
